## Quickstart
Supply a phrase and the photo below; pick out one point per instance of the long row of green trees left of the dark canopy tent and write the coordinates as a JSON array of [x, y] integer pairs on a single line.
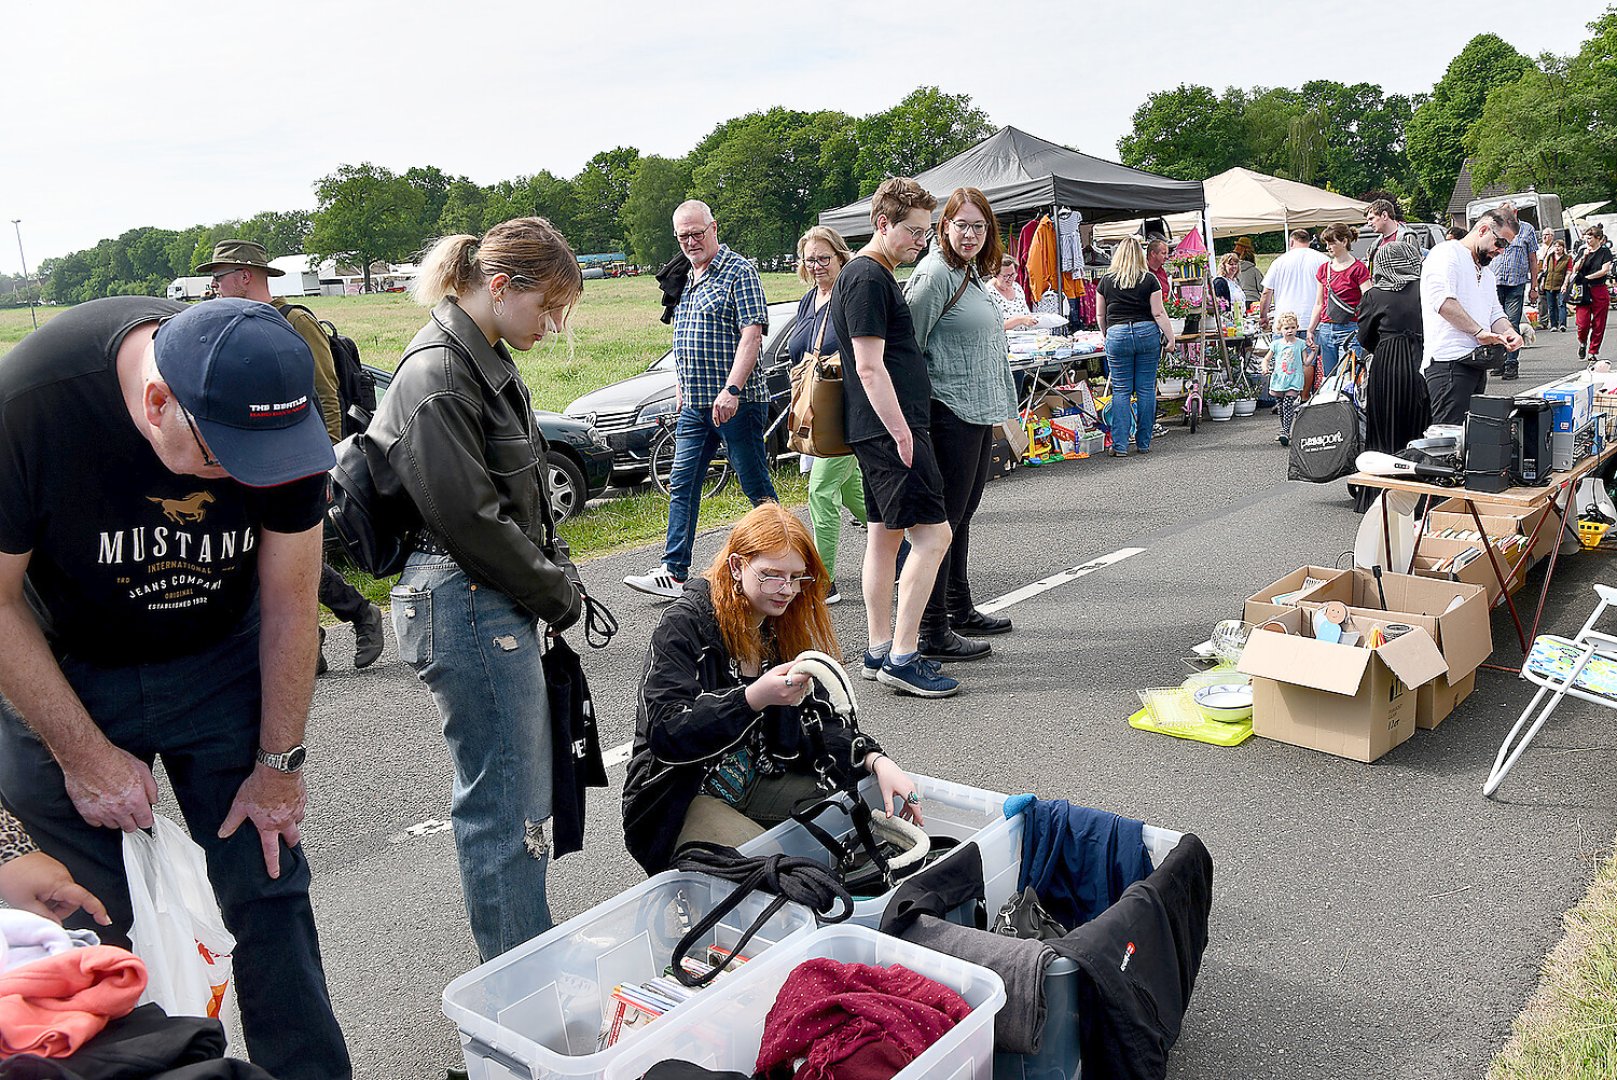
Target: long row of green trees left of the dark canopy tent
[[766, 175]]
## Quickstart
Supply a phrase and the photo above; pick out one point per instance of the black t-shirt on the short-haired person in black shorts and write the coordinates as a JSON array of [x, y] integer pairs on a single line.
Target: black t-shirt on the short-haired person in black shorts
[[868, 303]]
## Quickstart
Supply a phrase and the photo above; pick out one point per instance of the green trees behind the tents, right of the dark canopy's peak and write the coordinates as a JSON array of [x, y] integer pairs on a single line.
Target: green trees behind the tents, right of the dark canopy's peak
[[1543, 124]]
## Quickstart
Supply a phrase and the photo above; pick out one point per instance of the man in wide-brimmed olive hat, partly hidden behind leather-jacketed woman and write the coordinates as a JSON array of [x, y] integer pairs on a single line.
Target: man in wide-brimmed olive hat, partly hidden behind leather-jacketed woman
[[243, 269]]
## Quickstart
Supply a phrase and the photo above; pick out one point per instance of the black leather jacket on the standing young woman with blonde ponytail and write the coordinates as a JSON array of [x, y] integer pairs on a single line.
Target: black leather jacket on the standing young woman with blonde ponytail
[[457, 436]]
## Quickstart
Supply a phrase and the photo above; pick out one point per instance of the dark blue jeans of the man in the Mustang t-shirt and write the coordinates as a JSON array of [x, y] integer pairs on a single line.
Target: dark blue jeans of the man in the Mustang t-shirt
[[201, 715]]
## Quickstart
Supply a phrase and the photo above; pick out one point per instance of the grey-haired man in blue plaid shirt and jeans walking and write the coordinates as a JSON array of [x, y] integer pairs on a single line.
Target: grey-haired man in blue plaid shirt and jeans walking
[[720, 390]]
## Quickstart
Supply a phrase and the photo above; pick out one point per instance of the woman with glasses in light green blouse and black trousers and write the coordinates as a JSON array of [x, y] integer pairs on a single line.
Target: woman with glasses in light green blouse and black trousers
[[963, 335]]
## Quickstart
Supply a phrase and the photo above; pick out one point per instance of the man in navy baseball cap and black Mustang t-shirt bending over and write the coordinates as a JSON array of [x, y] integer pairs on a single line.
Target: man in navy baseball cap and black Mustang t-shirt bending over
[[163, 484]]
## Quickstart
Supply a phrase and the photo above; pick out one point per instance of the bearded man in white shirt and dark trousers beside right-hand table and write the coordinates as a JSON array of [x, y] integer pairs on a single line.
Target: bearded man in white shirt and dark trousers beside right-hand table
[[1461, 311]]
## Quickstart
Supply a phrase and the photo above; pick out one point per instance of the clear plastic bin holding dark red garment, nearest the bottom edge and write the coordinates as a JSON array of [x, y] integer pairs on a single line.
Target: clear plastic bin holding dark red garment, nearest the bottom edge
[[727, 1029]]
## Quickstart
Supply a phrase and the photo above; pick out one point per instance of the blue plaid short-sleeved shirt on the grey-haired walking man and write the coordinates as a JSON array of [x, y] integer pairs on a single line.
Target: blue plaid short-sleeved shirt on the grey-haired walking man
[[707, 329]]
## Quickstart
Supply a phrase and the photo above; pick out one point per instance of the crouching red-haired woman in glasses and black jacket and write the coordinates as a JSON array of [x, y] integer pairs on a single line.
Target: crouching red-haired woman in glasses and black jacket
[[720, 753]]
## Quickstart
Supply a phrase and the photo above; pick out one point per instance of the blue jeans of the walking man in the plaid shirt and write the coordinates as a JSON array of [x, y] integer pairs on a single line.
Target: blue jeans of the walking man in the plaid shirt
[[696, 442]]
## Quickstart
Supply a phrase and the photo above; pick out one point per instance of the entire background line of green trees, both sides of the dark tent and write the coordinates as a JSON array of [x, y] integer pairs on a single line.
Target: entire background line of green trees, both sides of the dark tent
[[1547, 124]]
